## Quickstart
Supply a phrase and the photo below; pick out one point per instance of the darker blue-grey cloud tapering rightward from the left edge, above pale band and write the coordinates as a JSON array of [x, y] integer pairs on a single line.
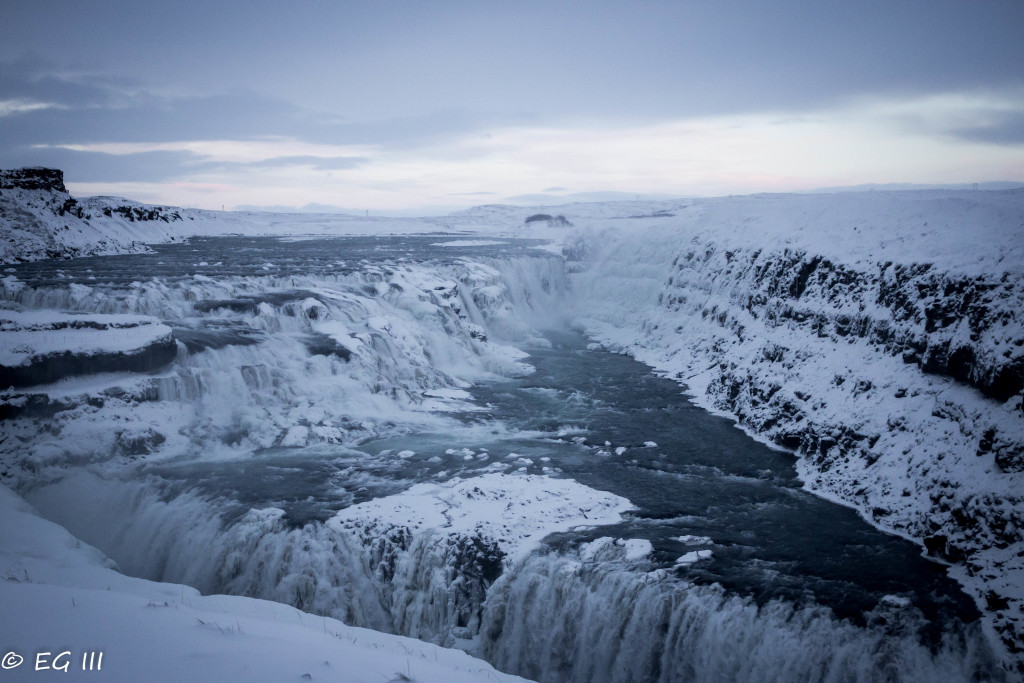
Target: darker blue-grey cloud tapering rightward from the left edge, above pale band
[[96, 110]]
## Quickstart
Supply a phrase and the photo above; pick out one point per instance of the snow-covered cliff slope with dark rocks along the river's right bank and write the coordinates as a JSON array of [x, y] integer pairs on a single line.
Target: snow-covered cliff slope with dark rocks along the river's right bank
[[880, 336]]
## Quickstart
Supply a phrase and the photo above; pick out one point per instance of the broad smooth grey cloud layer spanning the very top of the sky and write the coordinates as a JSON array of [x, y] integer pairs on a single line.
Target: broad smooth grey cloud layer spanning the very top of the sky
[[602, 59]]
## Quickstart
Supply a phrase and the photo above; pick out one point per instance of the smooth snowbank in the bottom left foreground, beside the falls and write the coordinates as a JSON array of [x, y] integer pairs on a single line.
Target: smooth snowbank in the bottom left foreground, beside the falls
[[61, 595]]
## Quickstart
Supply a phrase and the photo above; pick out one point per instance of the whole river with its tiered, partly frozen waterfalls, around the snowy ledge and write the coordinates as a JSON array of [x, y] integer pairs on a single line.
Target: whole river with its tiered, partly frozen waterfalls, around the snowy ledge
[[307, 368]]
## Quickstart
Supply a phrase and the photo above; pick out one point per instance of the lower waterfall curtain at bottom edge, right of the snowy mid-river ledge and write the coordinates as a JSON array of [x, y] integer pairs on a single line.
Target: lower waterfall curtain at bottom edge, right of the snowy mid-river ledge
[[558, 619]]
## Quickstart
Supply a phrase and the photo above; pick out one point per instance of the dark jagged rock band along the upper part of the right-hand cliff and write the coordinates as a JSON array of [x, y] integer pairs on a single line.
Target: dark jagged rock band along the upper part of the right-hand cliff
[[944, 323]]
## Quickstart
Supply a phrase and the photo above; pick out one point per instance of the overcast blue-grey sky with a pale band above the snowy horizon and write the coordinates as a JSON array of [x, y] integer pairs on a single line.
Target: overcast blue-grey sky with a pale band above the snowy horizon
[[401, 107]]
